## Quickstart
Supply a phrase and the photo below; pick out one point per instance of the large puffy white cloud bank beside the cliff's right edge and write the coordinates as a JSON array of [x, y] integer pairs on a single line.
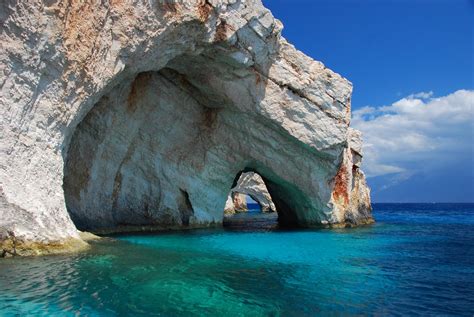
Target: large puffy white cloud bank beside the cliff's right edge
[[417, 133]]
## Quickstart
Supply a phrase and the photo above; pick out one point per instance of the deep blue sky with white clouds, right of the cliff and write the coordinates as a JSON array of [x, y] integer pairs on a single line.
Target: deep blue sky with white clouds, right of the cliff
[[411, 65]]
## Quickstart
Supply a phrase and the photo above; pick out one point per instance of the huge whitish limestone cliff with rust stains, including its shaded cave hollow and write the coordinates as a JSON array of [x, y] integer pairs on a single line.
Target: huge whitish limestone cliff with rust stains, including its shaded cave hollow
[[120, 113]]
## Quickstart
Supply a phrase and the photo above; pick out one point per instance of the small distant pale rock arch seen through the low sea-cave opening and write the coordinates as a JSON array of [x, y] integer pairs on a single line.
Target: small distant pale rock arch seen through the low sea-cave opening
[[251, 184]]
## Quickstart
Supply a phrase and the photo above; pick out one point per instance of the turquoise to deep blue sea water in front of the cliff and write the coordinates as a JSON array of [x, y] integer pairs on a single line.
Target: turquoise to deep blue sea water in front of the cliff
[[417, 260]]
